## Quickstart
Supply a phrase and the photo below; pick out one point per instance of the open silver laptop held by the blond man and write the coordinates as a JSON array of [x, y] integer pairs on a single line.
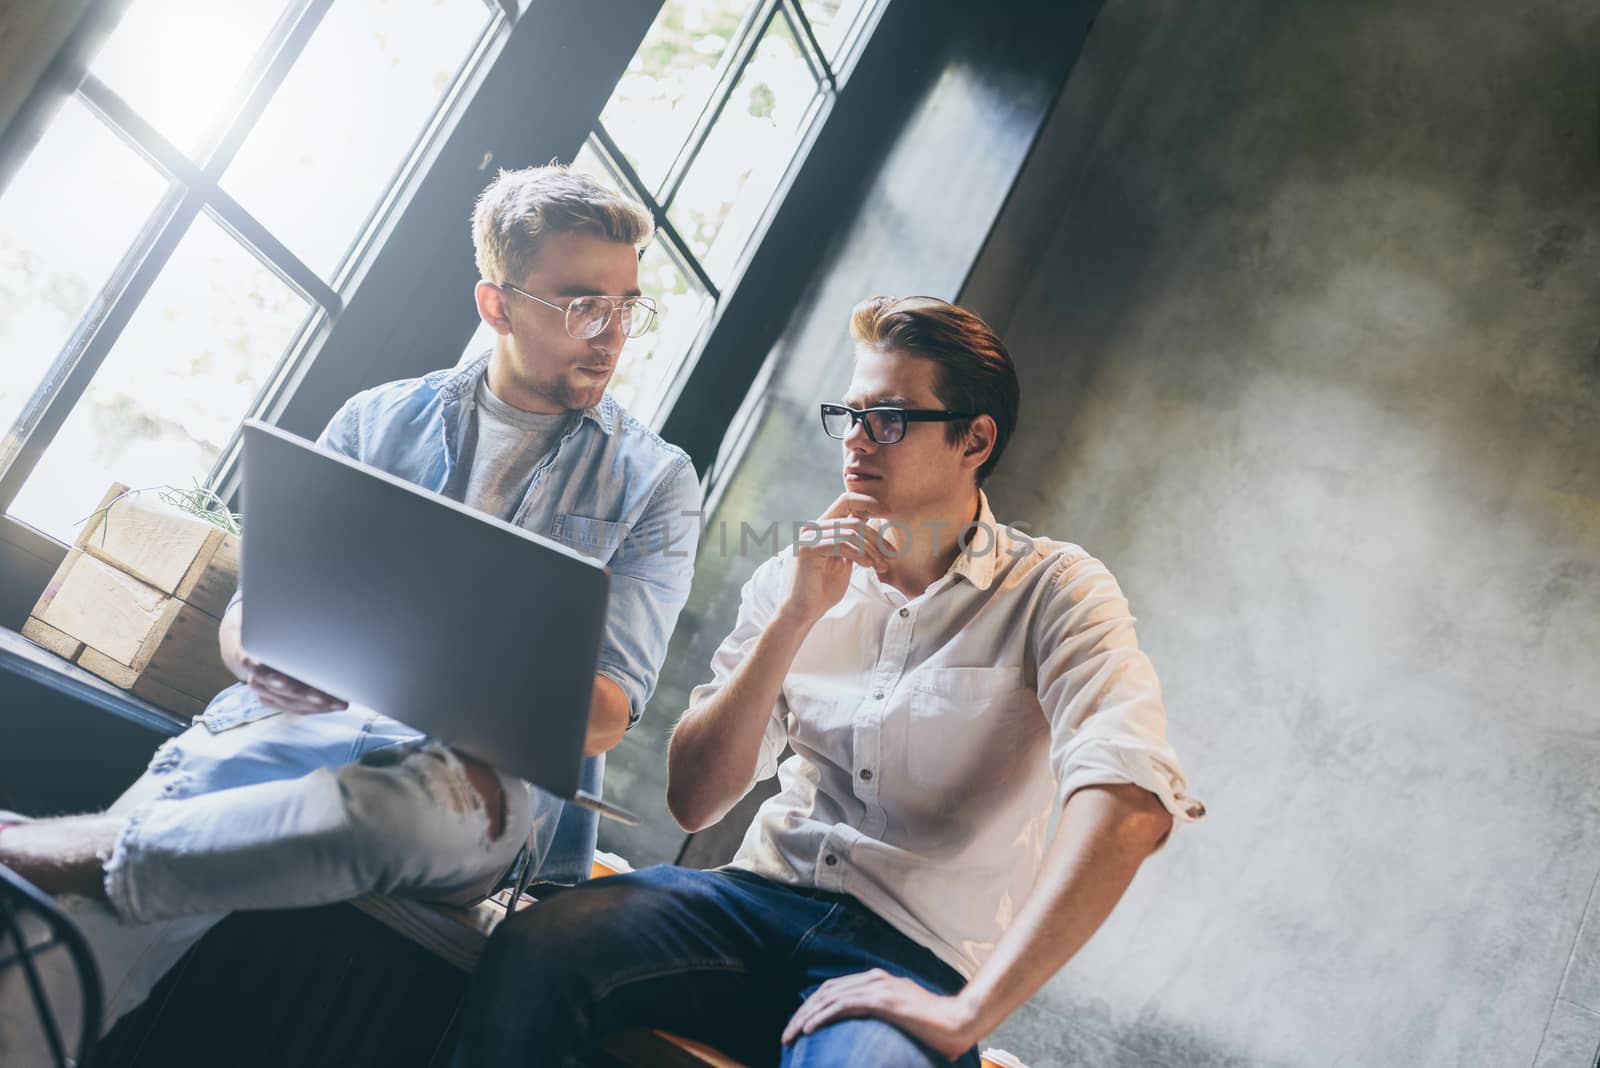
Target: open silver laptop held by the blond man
[[386, 596]]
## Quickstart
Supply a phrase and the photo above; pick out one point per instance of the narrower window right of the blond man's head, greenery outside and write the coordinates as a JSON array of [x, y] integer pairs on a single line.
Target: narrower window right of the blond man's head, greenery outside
[[703, 129]]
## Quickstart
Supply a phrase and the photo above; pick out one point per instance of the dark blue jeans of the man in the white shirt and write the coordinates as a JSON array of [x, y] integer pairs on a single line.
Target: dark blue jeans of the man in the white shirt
[[718, 957]]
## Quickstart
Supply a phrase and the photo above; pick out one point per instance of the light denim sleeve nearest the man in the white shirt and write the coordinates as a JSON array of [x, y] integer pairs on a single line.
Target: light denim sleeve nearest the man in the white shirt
[[650, 584]]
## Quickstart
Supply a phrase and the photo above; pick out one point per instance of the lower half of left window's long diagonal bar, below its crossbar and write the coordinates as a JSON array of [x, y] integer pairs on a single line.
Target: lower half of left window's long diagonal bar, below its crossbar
[[84, 354]]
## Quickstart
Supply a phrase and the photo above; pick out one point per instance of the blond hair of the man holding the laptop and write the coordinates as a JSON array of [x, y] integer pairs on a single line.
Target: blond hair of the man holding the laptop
[[519, 209]]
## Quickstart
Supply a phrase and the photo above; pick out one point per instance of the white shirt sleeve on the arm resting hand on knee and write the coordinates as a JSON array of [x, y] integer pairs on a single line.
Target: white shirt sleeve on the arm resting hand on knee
[[1100, 693]]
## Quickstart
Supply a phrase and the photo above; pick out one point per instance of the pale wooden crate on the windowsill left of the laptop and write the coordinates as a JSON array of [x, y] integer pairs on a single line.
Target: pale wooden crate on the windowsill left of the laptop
[[140, 600]]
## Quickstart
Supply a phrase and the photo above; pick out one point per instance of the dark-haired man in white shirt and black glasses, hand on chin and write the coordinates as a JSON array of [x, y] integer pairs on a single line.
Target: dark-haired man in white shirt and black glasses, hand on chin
[[897, 899]]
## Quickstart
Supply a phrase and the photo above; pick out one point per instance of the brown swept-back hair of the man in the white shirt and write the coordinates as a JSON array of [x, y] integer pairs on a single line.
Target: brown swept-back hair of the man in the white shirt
[[975, 369]]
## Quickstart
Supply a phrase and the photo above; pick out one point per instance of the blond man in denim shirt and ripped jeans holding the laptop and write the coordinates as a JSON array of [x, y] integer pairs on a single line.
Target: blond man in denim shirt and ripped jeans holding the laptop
[[284, 797]]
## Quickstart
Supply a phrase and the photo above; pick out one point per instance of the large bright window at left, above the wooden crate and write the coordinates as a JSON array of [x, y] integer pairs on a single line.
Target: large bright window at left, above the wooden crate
[[190, 220]]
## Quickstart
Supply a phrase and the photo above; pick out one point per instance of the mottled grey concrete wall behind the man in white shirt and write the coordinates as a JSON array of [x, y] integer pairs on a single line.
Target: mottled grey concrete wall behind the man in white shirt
[[1303, 300]]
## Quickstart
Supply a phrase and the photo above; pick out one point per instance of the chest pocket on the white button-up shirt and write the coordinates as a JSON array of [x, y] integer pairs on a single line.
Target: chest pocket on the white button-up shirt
[[967, 727]]
